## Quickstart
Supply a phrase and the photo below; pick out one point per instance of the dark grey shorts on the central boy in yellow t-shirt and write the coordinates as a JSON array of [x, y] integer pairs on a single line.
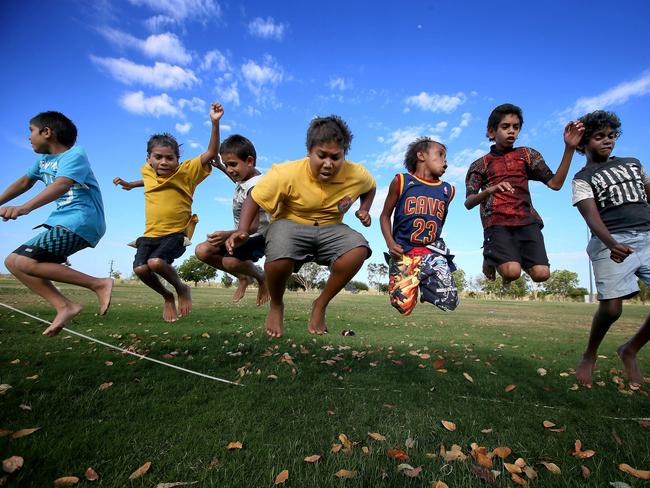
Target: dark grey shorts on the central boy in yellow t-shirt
[[324, 244]]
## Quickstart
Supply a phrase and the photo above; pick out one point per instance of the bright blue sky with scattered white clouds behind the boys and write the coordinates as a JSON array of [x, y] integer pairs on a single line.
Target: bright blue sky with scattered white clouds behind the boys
[[124, 70]]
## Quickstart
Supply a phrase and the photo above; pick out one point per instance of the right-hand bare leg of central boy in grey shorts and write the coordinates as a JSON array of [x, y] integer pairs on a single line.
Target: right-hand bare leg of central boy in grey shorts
[[343, 270]]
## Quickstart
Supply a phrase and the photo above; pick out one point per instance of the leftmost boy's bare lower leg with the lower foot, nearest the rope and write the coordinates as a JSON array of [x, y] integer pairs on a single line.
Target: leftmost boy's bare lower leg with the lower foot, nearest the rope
[[66, 310]]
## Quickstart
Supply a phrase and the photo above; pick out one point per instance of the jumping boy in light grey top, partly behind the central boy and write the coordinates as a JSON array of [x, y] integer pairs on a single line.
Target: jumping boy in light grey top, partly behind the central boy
[[238, 157]]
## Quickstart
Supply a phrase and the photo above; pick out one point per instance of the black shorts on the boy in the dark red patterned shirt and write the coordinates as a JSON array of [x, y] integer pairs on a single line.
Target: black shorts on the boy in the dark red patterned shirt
[[522, 244]]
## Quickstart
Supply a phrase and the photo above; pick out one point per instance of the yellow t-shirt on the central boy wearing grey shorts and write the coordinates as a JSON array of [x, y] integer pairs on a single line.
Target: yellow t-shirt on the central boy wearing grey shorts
[[289, 191]]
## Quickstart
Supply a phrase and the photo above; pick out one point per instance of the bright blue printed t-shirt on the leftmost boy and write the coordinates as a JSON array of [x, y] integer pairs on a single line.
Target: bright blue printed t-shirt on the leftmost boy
[[80, 210]]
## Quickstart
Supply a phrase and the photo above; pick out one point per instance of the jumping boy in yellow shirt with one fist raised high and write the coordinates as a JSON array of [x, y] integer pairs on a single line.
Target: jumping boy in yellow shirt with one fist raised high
[[168, 192]]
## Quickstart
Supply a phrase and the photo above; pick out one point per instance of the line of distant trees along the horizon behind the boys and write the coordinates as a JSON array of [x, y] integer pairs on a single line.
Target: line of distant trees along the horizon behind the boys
[[562, 284]]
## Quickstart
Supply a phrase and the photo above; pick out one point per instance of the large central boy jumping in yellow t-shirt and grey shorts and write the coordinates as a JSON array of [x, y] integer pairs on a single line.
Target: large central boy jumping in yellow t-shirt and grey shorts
[[307, 199]]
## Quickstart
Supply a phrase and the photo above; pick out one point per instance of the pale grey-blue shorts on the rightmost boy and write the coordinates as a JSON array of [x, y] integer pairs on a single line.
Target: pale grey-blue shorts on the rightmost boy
[[619, 280]]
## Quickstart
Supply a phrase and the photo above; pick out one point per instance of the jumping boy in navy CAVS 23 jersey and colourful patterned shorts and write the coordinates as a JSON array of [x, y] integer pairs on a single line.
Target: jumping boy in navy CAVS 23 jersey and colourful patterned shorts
[[418, 256]]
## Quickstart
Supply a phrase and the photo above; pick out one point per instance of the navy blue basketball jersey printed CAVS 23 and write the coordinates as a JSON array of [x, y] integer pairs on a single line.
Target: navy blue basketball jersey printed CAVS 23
[[420, 211]]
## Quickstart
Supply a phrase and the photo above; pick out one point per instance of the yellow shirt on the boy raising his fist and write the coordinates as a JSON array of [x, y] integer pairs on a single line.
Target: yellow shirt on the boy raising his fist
[[168, 201]]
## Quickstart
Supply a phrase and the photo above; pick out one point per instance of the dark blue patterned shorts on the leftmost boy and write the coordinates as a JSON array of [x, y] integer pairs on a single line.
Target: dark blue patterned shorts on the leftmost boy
[[54, 245]]
